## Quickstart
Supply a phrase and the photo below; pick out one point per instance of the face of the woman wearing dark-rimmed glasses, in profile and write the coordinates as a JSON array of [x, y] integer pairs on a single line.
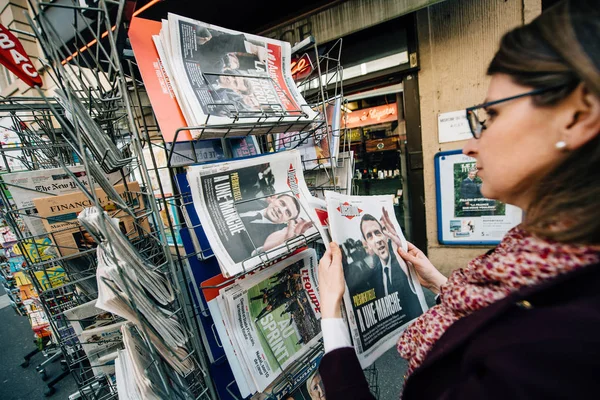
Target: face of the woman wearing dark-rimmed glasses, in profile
[[517, 148]]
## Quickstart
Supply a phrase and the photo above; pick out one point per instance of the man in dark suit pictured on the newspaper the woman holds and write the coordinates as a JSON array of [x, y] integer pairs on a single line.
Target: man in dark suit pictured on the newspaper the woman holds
[[388, 274]]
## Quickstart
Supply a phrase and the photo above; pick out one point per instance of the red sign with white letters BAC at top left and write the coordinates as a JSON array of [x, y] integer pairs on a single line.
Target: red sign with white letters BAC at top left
[[14, 57]]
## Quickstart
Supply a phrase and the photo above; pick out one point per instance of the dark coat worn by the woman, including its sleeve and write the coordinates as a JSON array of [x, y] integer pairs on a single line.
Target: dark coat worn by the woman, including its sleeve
[[542, 342]]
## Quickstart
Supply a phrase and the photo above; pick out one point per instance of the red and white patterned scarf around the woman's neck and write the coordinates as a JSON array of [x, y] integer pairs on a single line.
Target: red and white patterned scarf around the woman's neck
[[519, 260]]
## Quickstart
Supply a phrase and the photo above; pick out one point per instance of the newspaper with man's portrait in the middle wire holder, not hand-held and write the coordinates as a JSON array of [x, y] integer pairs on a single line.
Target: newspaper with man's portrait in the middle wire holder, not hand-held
[[253, 210]]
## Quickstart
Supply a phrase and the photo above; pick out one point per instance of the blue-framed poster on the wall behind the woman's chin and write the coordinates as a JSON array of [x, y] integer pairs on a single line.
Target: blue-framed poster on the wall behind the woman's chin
[[464, 216]]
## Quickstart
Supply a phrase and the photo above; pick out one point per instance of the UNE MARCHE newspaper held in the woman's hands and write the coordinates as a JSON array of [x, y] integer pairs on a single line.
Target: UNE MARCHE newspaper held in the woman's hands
[[383, 293]]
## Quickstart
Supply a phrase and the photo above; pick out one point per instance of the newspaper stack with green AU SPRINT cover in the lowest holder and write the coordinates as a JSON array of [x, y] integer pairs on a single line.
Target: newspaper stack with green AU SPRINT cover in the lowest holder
[[275, 316]]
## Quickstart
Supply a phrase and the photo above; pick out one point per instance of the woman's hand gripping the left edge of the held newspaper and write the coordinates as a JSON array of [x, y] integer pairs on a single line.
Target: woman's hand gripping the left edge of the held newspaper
[[331, 282]]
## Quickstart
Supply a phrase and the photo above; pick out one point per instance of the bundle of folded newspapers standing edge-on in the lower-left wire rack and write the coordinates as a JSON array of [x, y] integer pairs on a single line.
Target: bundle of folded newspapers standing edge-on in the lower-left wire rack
[[132, 288]]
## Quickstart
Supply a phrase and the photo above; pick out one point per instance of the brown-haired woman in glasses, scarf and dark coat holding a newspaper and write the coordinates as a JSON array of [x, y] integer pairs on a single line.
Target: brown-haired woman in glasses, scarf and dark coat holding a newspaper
[[522, 321]]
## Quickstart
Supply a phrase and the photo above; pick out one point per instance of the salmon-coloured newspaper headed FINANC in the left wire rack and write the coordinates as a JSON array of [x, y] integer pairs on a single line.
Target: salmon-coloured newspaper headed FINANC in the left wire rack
[[59, 215]]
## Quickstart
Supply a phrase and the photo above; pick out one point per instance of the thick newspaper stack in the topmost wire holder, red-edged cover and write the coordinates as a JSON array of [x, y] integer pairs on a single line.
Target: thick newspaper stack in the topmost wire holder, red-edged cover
[[221, 77]]
